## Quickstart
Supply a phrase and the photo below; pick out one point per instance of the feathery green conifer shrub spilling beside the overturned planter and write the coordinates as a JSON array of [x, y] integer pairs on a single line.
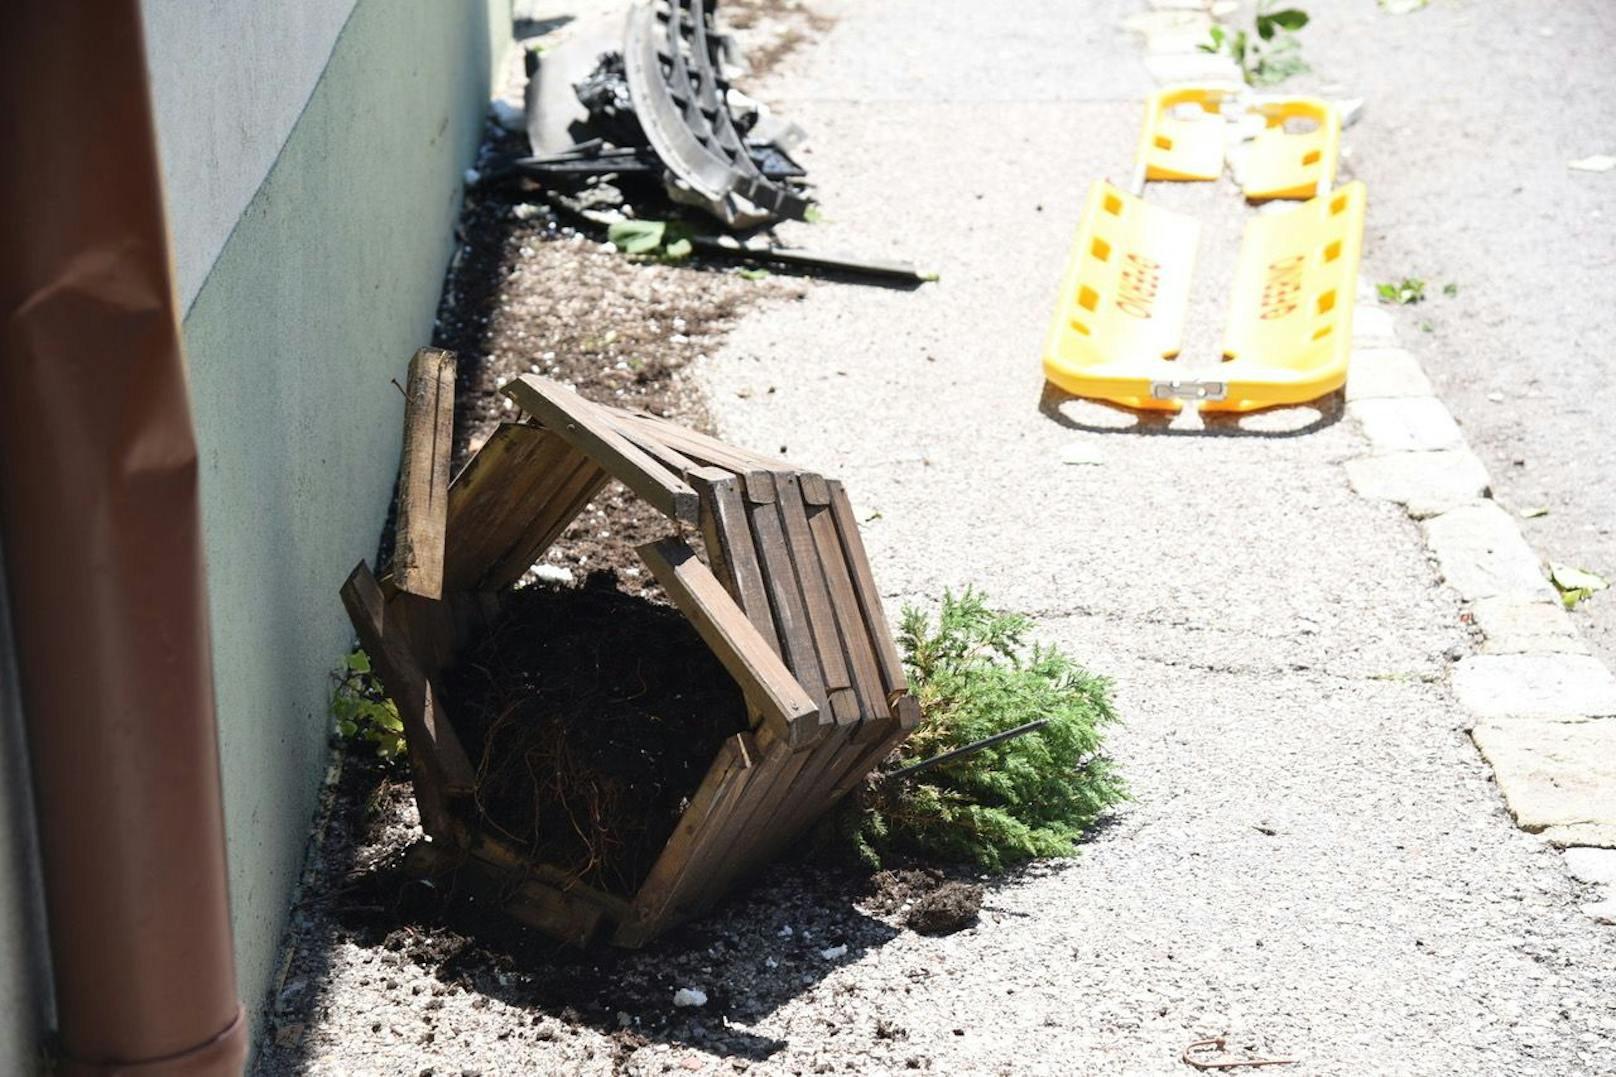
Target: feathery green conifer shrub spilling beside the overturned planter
[[975, 675]]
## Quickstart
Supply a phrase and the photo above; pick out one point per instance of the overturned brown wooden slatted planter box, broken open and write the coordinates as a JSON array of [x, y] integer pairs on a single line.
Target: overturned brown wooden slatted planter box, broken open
[[786, 602]]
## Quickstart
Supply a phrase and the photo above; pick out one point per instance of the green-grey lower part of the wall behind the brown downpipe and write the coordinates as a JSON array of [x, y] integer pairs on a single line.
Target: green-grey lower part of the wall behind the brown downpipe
[[326, 287]]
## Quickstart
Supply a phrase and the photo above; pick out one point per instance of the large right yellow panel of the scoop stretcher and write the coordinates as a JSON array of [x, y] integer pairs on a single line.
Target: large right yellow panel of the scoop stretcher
[[1290, 329]]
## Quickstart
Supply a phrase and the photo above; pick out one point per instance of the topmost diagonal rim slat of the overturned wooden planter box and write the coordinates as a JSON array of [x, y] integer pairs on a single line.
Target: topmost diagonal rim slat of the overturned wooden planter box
[[591, 433]]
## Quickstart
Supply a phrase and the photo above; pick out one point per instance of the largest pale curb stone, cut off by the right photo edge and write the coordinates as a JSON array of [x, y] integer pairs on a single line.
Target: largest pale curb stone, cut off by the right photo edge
[[1554, 774]]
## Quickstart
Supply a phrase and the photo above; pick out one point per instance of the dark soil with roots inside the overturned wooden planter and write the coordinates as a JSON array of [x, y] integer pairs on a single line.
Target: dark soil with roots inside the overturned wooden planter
[[592, 717]]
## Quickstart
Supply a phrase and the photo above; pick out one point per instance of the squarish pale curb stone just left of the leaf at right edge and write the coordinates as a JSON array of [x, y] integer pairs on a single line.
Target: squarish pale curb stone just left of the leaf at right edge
[[1481, 555]]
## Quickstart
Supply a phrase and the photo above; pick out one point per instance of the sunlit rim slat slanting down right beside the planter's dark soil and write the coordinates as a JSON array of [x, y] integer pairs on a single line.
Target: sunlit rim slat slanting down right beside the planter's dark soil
[[733, 640]]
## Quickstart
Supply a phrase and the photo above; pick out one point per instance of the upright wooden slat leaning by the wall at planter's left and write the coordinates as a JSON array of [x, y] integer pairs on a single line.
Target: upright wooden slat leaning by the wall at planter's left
[[424, 475]]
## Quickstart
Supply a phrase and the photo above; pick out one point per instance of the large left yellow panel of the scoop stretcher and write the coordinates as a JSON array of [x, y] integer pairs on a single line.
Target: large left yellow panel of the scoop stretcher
[[1122, 302]]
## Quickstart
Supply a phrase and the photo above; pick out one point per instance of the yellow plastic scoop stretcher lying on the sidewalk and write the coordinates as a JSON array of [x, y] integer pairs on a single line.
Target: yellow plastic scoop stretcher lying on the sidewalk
[[1119, 321]]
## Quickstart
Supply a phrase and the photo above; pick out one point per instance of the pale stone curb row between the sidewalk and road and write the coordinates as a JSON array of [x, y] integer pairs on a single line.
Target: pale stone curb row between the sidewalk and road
[[1544, 707]]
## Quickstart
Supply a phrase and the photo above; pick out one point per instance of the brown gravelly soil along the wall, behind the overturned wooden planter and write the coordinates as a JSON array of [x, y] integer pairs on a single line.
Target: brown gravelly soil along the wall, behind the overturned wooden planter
[[532, 292]]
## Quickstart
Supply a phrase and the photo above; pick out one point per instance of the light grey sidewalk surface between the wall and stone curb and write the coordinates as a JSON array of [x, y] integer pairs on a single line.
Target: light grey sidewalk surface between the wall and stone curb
[[1316, 864]]
